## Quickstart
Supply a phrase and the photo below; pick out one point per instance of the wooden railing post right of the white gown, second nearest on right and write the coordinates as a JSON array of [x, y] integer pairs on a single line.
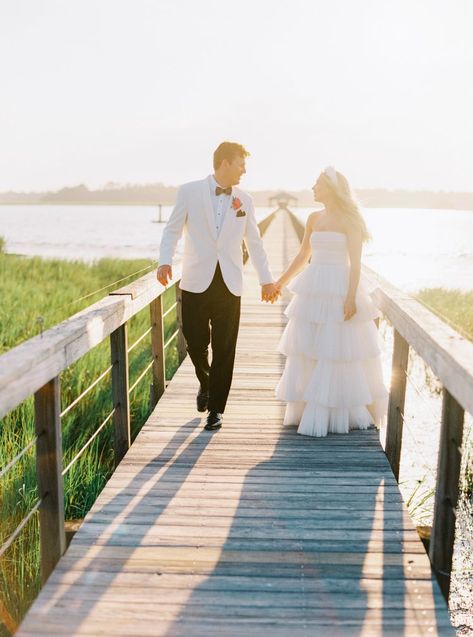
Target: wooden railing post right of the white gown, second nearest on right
[[397, 397]]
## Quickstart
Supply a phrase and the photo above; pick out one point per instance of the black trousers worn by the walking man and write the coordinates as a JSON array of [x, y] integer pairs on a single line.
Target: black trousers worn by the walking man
[[212, 317]]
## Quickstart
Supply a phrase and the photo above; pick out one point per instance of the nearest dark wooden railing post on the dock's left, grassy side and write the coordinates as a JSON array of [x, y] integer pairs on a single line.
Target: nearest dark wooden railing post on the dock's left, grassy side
[[49, 475]]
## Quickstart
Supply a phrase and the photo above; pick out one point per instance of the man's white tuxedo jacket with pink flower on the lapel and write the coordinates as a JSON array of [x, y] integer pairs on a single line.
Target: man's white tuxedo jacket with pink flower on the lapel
[[193, 214]]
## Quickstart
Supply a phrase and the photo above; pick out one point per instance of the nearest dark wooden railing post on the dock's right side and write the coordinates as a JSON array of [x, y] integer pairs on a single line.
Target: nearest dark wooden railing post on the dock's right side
[[446, 493]]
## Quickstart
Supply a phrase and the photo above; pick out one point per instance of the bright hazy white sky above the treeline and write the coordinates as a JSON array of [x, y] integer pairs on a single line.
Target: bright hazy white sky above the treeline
[[142, 91]]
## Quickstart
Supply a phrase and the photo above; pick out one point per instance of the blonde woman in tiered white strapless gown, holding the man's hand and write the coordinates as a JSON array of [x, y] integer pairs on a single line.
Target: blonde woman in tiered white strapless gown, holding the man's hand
[[332, 380]]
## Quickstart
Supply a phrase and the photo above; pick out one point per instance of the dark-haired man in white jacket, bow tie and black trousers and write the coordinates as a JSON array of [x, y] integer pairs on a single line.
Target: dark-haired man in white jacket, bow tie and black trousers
[[215, 216]]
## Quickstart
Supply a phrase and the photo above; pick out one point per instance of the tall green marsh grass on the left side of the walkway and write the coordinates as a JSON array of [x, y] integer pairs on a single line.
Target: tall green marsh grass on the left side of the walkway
[[32, 288]]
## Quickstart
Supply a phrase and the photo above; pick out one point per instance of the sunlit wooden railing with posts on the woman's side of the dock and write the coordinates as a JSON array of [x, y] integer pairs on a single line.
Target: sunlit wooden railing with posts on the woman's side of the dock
[[450, 356]]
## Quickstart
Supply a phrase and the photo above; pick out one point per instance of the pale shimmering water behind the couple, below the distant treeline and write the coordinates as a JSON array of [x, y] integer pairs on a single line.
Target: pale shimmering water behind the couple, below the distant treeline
[[412, 248]]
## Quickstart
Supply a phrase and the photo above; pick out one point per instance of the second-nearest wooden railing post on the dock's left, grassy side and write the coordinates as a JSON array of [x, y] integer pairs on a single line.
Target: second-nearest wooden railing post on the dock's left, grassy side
[[120, 393]]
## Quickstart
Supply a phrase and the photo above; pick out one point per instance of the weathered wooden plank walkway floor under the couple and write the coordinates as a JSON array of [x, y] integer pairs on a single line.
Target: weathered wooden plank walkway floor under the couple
[[250, 531]]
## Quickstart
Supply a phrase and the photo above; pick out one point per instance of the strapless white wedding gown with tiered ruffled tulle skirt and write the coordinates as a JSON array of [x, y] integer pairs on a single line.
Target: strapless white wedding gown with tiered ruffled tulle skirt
[[332, 380]]
